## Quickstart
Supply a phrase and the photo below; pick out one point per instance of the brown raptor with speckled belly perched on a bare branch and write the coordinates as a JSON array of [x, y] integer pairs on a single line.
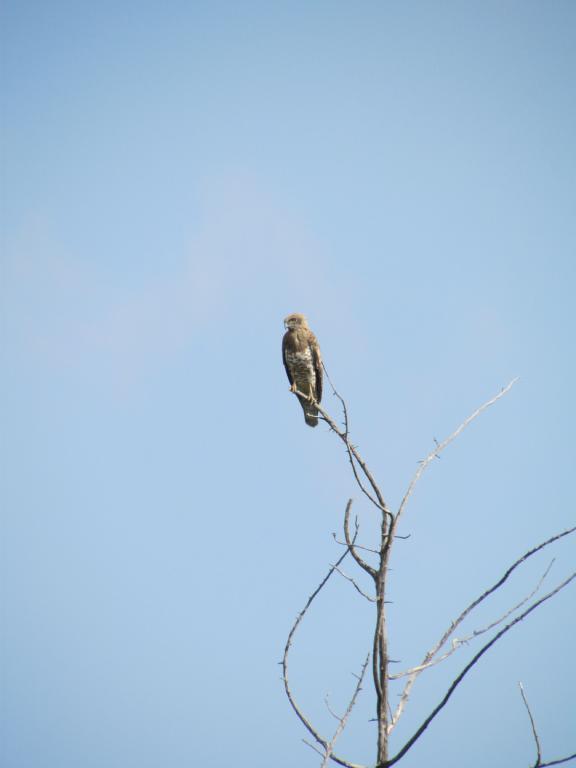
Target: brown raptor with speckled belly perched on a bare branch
[[303, 363]]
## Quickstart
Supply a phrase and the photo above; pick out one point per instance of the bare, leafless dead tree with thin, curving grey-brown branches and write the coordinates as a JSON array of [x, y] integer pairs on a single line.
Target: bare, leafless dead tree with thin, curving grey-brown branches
[[386, 717]]
